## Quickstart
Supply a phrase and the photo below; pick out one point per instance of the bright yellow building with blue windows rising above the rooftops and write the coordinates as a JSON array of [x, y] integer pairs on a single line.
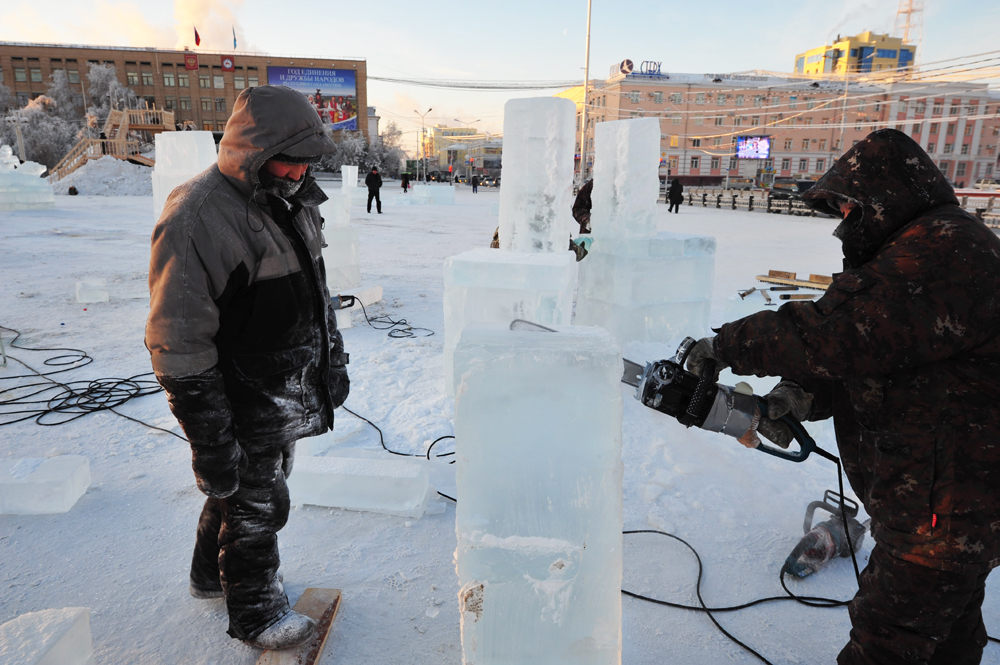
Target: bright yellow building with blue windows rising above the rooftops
[[865, 52]]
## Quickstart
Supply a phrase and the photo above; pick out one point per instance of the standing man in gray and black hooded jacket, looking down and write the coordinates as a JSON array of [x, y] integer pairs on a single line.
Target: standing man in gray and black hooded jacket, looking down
[[244, 342]]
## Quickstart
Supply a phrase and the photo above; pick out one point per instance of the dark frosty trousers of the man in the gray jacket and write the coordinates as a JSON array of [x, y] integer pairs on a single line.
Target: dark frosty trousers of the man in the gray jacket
[[237, 544]]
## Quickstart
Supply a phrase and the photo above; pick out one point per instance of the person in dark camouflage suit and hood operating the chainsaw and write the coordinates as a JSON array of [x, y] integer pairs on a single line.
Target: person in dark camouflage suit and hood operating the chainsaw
[[903, 352]]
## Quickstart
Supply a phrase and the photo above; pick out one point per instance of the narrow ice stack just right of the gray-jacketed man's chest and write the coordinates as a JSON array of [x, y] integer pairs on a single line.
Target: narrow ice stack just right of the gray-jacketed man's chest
[[342, 255]]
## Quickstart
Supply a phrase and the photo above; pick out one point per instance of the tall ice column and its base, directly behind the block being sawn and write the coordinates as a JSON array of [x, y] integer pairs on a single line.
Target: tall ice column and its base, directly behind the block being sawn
[[533, 274]]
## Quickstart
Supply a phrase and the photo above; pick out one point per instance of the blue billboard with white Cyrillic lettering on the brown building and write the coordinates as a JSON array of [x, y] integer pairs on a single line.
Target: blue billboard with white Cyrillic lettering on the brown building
[[332, 92]]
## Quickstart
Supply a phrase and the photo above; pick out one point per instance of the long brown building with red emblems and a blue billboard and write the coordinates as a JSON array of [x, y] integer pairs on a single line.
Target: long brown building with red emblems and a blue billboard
[[198, 87]]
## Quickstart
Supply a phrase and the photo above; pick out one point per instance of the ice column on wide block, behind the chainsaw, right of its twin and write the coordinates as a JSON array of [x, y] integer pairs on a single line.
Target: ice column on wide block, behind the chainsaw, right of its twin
[[640, 285]]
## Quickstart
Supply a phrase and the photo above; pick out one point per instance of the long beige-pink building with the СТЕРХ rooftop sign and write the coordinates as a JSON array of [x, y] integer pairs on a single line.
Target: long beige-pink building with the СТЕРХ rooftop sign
[[808, 122]]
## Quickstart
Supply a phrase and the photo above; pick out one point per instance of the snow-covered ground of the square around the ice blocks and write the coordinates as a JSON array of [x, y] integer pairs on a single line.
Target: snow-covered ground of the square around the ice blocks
[[124, 549]]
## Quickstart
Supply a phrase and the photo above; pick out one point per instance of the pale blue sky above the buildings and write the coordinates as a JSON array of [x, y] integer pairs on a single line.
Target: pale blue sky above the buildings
[[499, 39]]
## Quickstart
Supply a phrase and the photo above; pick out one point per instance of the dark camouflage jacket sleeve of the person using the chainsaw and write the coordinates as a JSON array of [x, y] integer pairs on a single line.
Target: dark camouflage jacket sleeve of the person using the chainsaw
[[909, 306]]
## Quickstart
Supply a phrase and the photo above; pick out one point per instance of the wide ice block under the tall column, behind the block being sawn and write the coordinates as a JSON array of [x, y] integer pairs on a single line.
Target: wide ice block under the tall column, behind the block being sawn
[[491, 286]]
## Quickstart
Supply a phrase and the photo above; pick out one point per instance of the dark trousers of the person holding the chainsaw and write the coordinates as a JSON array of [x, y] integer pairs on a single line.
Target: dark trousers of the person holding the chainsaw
[[905, 613]]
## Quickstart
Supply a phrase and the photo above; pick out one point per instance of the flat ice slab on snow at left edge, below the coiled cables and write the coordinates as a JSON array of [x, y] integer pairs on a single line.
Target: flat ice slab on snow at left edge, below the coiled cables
[[42, 486]]
